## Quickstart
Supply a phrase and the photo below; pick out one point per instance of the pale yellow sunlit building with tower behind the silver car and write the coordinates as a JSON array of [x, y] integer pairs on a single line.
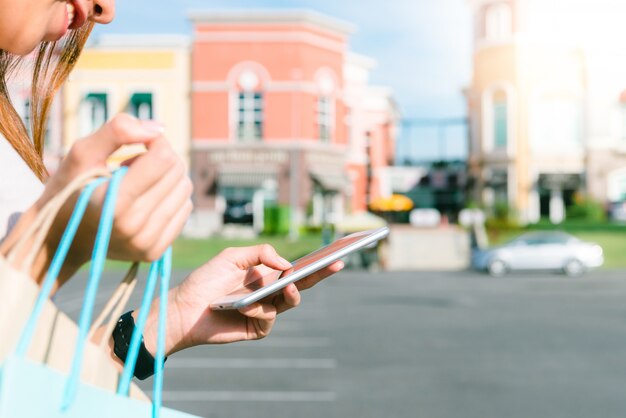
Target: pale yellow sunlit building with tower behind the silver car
[[526, 107]]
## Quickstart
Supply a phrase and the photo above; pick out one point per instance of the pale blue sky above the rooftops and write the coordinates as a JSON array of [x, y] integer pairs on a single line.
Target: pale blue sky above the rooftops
[[423, 47]]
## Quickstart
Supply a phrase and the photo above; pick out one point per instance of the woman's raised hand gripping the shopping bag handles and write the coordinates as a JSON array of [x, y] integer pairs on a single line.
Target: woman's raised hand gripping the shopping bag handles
[[153, 203]]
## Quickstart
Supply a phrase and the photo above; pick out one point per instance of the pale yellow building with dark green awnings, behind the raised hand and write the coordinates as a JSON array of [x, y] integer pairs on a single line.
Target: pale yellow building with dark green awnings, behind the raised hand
[[147, 76]]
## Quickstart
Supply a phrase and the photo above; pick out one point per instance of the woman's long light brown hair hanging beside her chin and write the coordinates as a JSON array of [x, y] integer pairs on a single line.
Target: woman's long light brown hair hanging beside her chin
[[52, 65]]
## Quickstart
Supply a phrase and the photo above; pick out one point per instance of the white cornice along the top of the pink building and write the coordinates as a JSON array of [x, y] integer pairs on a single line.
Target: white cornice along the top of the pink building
[[267, 16]]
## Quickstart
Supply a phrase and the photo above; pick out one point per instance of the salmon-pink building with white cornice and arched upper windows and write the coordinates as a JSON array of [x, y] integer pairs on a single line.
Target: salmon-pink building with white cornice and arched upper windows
[[272, 119]]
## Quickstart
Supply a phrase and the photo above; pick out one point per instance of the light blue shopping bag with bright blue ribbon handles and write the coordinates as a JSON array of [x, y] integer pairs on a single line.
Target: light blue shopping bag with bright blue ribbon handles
[[34, 389]]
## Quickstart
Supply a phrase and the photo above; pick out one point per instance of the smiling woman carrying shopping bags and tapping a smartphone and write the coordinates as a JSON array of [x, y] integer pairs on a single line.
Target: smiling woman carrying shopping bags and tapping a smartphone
[[154, 200]]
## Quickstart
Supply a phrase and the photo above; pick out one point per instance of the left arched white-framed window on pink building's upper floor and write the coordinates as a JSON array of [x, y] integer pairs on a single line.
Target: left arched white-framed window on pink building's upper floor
[[249, 108]]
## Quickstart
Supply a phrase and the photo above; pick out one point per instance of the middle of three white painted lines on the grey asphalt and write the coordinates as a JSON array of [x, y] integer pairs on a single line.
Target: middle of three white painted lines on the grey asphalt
[[251, 363]]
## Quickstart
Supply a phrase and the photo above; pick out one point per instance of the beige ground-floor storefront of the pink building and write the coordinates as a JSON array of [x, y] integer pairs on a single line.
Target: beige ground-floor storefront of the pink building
[[237, 183]]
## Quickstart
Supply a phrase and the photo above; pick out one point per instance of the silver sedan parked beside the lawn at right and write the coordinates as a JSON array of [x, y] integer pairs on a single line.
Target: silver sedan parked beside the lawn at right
[[540, 251]]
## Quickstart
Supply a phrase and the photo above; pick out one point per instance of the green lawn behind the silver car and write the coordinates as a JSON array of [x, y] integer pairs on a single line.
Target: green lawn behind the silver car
[[613, 243]]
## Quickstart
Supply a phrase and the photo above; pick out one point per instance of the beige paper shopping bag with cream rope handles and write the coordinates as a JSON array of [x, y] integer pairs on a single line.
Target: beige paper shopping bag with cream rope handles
[[55, 332]]
